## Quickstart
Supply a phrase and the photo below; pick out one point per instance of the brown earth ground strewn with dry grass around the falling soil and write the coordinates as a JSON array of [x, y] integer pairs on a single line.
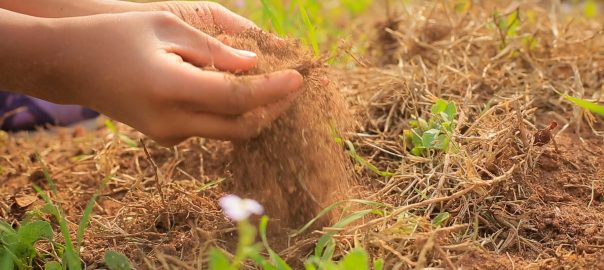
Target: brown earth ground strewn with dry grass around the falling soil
[[512, 204]]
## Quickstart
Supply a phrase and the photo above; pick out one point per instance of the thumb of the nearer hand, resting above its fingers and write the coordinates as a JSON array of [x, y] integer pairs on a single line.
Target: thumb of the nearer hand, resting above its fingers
[[201, 49]]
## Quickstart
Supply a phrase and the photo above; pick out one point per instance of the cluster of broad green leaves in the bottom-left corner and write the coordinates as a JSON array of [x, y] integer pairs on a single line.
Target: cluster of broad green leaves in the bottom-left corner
[[17, 247]]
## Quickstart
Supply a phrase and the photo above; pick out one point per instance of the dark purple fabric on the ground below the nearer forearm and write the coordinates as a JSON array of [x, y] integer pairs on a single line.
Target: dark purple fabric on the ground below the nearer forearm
[[19, 112]]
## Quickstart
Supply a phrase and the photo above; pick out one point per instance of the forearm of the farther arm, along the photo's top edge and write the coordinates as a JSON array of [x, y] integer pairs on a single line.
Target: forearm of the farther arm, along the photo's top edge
[[67, 8]]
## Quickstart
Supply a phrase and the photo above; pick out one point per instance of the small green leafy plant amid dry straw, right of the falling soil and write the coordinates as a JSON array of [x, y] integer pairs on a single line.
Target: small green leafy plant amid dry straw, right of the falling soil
[[434, 134]]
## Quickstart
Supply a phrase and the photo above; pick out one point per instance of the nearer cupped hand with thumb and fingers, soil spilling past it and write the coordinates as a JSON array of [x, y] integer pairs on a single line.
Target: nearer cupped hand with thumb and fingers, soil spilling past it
[[141, 68]]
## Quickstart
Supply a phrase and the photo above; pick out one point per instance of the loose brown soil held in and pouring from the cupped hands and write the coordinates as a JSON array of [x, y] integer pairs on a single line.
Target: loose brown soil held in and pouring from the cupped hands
[[295, 167]]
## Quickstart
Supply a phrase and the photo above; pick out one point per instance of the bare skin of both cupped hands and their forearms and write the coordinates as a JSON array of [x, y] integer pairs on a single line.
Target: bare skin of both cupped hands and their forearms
[[139, 64]]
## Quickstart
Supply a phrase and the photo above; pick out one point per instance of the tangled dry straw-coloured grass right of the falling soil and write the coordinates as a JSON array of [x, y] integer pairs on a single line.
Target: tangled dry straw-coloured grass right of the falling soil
[[504, 94]]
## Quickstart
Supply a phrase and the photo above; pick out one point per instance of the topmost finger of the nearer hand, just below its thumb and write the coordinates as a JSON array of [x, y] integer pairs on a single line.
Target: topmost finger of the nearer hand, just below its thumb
[[220, 93]]
